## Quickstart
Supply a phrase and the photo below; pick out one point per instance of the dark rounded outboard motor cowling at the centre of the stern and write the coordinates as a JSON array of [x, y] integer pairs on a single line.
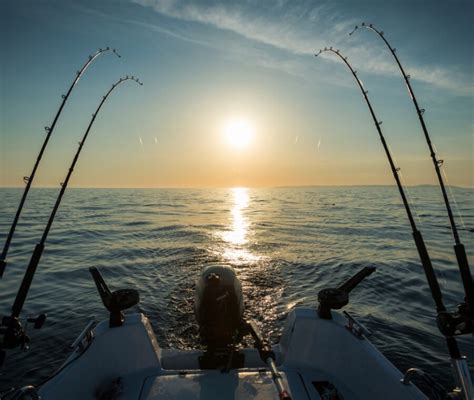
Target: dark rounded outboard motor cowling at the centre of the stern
[[218, 305]]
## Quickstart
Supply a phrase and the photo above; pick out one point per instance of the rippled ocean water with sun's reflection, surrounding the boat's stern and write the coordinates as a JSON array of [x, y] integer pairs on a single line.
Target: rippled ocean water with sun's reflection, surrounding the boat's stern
[[285, 244]]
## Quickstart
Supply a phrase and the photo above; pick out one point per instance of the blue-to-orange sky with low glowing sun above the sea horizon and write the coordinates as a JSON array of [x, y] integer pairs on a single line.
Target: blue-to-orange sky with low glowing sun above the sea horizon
[[232, 94]]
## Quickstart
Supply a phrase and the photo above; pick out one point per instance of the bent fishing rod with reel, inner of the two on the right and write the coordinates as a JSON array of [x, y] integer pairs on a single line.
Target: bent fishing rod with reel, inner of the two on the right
[[451, 326]]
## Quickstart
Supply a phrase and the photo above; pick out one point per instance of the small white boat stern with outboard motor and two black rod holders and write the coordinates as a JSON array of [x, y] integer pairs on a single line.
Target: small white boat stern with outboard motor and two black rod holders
[[322, 354]]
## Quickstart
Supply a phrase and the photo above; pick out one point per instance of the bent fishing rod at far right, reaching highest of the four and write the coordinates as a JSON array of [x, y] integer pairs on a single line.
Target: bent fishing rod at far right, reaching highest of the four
[[459, 249]]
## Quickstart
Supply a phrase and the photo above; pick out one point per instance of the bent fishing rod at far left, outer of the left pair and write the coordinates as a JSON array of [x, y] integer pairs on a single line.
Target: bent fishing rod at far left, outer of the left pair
[[49, 130]]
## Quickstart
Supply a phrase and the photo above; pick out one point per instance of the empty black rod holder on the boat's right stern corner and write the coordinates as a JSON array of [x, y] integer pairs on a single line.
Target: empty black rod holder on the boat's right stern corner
[[336, 298]]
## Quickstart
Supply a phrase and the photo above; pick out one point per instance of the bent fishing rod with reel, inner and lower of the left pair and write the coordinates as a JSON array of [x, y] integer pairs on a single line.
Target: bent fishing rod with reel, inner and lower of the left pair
[[13, 333]]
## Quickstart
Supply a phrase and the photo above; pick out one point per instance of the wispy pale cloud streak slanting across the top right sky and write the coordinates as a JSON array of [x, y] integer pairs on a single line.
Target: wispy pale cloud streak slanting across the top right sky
[[302, 29]]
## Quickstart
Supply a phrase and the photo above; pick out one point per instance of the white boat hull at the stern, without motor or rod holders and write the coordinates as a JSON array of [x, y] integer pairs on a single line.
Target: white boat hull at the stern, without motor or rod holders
[[315, 357]]
